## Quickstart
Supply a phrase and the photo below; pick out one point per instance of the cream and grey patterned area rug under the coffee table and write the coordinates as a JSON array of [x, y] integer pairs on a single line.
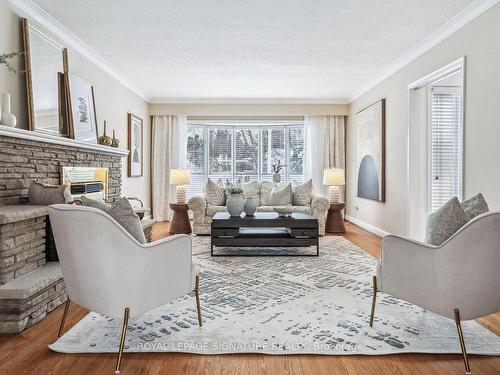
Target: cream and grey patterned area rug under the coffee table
[[282, 305]]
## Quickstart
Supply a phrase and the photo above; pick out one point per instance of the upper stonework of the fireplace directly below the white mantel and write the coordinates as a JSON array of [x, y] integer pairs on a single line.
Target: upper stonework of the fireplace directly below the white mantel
[[23, 161]]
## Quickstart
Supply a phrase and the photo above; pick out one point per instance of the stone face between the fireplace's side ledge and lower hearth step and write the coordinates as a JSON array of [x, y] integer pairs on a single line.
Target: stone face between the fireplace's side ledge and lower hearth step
[[22, 248]]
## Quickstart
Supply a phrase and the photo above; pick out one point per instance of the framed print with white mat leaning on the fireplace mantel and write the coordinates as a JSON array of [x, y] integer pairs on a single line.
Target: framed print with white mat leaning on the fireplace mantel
[[83, 119]]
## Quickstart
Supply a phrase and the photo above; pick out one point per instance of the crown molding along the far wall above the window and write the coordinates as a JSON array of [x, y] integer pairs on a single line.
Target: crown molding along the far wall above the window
[[248, 101]]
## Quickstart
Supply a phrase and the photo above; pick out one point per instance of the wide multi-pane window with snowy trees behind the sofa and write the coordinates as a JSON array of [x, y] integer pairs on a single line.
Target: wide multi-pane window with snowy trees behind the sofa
[[243, 153]]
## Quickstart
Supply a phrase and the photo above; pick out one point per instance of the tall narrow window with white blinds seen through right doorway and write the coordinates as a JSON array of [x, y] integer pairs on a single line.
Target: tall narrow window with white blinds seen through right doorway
[[446, 145]]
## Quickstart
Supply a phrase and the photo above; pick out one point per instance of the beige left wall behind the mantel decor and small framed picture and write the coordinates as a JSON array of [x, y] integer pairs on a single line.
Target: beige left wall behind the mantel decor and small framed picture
[[113, 100]]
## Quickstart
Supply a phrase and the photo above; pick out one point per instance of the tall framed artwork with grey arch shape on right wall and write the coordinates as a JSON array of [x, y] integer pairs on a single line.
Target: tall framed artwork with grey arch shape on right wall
[[370, 152]]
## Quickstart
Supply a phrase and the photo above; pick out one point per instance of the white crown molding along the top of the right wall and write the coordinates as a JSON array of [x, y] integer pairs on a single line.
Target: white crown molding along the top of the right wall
[[474, 10]]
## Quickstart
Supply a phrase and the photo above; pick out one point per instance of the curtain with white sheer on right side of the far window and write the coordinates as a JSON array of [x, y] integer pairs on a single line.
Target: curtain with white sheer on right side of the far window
[[324, 147]]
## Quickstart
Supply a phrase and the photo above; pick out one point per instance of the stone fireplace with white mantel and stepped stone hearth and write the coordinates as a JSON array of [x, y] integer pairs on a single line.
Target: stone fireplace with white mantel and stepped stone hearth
[[31, 287]]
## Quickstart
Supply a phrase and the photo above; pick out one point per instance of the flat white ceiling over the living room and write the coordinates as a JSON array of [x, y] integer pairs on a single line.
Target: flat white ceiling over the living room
[[310, 50]]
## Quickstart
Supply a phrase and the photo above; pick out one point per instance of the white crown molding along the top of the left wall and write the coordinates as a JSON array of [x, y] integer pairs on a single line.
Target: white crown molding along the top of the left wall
[[33, 12]]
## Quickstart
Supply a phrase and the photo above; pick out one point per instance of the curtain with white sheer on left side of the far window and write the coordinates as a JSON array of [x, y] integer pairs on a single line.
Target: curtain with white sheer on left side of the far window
[[168, 150]]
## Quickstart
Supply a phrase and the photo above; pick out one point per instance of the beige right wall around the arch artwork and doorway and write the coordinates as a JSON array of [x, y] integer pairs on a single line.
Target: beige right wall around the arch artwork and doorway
[[479, 42]]
